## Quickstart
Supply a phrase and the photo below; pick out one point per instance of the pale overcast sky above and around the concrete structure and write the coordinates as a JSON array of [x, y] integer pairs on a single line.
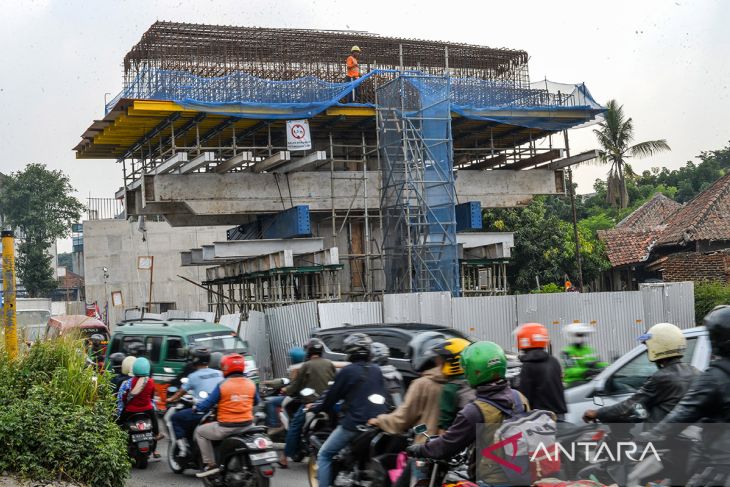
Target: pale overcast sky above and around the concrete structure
[[665, 61]]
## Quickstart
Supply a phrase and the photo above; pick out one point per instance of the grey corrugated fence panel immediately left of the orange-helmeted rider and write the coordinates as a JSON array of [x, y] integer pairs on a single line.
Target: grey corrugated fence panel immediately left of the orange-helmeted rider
[[486, 318]]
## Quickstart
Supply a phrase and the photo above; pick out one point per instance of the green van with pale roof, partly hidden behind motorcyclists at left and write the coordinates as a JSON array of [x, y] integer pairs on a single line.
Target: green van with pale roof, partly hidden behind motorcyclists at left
[[167, 344]]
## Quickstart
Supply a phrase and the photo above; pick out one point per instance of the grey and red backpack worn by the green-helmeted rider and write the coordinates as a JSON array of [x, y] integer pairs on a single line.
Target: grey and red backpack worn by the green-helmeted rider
[[521, 436]]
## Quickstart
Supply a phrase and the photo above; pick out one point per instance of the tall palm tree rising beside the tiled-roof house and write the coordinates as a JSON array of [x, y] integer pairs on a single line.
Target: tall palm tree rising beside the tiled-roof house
[[615, 135]]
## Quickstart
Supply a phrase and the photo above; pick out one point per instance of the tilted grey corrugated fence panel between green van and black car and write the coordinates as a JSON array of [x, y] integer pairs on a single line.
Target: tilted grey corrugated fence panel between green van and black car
[[289, 326]]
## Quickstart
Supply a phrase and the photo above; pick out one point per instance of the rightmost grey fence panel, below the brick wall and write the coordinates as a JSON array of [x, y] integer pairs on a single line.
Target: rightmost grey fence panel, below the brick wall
[[670, 302]]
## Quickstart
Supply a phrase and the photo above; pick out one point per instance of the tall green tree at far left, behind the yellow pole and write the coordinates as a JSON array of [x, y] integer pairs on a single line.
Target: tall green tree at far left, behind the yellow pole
[[38, 204]]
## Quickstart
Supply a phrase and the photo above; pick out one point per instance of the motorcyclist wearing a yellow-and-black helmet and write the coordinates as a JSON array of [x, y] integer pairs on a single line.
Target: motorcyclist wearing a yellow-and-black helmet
[[456, 393]]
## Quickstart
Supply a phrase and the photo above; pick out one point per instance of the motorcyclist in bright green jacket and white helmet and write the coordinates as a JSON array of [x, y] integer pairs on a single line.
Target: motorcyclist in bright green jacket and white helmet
[[580, 361]]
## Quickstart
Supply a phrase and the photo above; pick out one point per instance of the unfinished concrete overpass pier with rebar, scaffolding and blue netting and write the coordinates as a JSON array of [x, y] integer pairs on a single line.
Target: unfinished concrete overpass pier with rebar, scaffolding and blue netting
[[333, 189]]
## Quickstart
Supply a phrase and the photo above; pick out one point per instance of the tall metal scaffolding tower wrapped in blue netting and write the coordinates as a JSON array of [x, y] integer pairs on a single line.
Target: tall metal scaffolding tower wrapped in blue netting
[[418, 197]]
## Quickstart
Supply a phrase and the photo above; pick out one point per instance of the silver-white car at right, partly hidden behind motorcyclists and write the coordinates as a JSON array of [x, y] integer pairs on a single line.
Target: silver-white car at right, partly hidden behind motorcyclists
[[626, 375]]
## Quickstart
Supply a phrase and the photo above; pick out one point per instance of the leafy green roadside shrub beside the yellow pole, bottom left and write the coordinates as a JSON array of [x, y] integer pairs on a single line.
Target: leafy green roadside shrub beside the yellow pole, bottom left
[[58, 418]]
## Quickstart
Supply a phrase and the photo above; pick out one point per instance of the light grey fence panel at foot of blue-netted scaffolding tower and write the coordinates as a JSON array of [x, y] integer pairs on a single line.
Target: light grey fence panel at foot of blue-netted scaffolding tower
[[434, 307]]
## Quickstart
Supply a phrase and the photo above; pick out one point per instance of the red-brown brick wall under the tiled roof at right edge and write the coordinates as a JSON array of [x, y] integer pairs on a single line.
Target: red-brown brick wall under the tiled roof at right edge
[[691, 266]]
